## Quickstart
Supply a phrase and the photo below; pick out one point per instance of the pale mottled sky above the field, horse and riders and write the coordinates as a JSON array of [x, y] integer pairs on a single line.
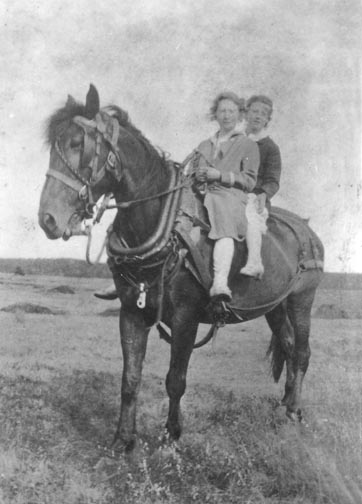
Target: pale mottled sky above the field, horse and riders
[[164, 61]]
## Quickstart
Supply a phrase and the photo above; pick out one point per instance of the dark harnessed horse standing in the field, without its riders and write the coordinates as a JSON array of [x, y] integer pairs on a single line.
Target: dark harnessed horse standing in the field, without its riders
[[161, 273]]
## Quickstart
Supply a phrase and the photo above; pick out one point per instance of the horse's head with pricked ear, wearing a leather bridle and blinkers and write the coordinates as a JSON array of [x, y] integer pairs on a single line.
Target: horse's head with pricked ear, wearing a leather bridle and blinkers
[[83, 164]]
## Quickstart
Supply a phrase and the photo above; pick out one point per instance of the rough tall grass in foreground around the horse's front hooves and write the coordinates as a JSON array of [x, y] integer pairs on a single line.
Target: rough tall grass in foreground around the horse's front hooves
[[238, 451]]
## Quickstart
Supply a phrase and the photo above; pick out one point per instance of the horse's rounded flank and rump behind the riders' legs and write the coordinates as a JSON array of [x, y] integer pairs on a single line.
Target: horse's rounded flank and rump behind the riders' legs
[[290, 249]]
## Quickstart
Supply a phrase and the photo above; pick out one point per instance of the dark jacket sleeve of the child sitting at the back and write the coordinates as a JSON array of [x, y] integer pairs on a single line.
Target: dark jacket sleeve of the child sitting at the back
[[269, 169]]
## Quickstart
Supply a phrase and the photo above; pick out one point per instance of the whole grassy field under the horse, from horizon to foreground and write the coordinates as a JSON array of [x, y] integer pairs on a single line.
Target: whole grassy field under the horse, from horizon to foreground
[[60, 372]]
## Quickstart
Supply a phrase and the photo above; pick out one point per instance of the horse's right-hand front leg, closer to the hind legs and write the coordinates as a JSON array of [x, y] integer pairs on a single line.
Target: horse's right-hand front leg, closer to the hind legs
[[184, 329]]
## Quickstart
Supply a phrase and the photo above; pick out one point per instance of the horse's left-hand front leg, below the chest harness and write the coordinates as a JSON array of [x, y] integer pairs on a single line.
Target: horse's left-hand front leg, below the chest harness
[[134, 334]]
